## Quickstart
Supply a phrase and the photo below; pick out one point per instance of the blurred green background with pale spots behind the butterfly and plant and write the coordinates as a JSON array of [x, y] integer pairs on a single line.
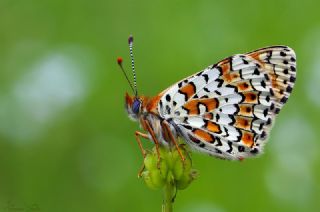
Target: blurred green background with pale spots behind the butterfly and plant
[[66, 143]]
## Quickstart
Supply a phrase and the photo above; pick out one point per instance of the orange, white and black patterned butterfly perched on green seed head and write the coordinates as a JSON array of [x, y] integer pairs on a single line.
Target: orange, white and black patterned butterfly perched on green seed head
[[226, 110]]
